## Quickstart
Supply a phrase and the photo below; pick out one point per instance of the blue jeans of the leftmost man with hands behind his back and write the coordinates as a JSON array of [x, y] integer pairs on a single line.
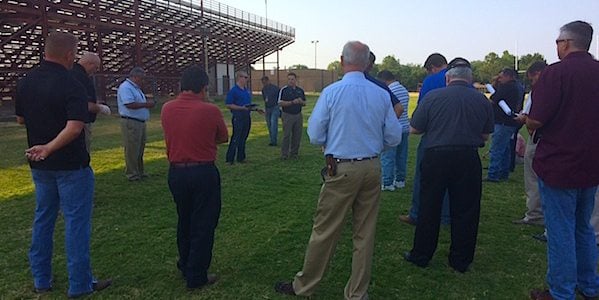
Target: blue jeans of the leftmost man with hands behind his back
[[72, 192]]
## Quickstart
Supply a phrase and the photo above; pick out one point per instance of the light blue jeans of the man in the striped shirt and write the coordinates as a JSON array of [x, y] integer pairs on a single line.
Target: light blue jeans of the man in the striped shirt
[[394, 162]]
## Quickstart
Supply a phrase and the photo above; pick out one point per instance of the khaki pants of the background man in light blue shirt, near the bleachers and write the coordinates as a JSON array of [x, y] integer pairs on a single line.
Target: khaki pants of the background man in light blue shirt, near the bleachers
[[134, 141]]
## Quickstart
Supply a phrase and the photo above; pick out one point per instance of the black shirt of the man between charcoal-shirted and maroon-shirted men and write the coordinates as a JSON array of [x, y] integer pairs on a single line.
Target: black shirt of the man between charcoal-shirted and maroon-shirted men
[[513, 96]]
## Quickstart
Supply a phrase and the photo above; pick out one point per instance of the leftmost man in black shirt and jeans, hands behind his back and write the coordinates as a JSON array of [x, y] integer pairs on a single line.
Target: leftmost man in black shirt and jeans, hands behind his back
[[52, 106]]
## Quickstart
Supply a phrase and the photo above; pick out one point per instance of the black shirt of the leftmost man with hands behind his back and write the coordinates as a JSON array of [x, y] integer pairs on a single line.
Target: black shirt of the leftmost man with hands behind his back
[[47, 97]]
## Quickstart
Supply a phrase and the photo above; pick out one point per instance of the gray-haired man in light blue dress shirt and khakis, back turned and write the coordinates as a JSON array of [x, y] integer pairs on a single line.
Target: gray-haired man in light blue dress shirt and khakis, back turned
[[353, 121]]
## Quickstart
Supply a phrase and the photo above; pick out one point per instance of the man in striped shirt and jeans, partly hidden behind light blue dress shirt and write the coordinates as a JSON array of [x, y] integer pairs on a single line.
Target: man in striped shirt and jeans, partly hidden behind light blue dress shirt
[[394, 160]]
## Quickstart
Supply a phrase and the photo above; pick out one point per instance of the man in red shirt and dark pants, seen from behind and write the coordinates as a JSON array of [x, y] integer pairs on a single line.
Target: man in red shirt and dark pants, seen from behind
[[192, 129]]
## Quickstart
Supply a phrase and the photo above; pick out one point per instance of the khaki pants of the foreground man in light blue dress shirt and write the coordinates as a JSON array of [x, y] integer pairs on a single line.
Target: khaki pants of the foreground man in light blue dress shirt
[[357, 187]]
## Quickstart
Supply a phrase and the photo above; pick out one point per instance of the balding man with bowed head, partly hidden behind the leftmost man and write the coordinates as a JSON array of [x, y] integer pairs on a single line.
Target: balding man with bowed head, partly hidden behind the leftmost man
[[87, 65]]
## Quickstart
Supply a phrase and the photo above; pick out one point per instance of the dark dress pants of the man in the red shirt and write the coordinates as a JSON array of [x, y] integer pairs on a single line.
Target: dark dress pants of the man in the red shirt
[[197, 193]]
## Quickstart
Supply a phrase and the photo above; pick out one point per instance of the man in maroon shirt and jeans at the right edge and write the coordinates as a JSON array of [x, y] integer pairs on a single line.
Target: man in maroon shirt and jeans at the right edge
[[564, 115]]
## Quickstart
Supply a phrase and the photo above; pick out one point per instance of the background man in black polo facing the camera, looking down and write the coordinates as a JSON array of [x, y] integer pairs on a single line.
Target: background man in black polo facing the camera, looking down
[[291, 100]]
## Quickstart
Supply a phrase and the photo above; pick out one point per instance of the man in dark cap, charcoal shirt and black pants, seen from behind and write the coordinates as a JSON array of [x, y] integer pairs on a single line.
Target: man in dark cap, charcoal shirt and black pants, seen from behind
[[455, 121]]
